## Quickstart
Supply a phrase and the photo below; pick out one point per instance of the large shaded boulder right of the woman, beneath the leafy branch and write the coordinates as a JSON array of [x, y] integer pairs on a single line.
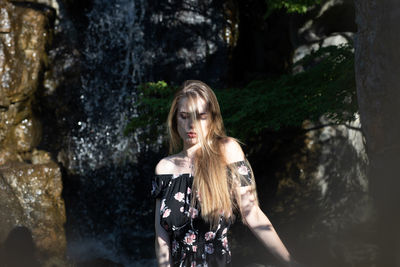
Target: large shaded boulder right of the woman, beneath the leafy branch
[[323, 194]]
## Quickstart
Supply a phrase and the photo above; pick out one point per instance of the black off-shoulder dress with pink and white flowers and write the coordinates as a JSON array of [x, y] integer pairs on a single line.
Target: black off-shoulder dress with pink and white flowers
[[192, 241]]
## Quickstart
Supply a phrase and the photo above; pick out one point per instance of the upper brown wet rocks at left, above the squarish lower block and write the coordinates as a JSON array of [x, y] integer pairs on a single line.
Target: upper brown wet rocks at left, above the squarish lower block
[[23, 39]]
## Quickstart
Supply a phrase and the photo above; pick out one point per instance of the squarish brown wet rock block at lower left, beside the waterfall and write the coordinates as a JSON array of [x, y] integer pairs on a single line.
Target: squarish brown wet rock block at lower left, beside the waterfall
[[31, 197]]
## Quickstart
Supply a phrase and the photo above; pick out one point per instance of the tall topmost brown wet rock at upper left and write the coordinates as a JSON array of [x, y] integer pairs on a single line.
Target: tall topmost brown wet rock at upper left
[[25, 43]]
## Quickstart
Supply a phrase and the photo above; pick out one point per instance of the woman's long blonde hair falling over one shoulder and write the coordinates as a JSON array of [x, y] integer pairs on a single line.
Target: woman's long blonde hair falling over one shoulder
[[212, 188]]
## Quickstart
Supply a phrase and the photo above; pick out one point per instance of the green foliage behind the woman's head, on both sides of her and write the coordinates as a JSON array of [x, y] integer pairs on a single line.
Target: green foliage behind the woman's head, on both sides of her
[[325, 87]]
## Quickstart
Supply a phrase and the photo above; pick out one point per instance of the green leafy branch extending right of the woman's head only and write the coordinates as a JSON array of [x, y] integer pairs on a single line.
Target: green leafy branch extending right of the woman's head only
[[326, 87]]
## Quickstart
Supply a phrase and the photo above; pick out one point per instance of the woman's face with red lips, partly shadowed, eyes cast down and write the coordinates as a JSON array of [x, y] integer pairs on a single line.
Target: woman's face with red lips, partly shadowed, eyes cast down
[[185, 123]]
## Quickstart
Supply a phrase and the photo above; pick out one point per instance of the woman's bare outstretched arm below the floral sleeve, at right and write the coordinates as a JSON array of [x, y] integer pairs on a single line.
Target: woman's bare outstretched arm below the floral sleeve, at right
[[262, 228]]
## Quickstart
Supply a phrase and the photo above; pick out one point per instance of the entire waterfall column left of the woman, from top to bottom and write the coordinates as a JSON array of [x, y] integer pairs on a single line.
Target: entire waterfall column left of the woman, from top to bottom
[[104, 214]]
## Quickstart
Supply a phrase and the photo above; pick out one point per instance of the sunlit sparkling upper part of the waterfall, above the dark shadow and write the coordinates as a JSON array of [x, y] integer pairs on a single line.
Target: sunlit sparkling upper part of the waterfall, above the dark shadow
[[111, 52]]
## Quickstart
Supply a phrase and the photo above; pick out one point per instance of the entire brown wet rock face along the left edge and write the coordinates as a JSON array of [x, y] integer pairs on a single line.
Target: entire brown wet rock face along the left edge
[[30, 181]]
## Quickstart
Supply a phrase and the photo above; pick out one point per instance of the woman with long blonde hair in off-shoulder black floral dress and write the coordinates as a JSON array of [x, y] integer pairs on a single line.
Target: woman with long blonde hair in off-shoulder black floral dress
[[198, 187]]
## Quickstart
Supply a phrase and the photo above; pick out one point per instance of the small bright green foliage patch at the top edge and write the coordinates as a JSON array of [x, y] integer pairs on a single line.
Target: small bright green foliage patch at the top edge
[[291, 6]]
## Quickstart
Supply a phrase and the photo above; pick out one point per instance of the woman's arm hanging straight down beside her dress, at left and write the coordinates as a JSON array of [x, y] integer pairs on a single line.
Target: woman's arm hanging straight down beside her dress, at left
[[162, 241]]
